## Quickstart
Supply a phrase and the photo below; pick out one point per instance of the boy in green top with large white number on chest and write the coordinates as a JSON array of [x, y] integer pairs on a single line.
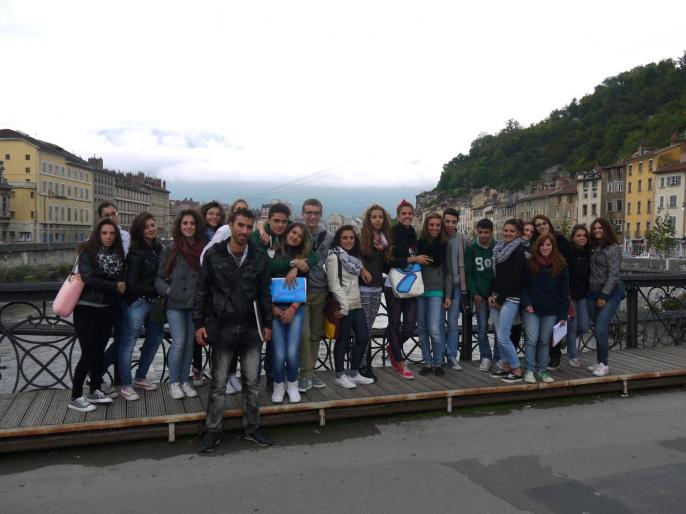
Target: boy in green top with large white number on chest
[[479, 273]]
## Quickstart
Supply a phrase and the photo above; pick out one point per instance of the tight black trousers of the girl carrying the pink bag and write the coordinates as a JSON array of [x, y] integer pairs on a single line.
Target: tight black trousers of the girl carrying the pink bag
[[93, 328]]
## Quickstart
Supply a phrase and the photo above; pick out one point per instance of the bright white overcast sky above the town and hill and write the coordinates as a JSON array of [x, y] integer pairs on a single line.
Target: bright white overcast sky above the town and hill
[[374, 93]]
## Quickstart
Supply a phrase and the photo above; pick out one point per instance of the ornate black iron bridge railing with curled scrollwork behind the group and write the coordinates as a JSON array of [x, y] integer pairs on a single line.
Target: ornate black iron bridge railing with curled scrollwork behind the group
[[37, 348]]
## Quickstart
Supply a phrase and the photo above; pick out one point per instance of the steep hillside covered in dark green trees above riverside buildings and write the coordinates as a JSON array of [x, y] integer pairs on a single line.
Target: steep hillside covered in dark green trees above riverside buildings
[[643, 106]]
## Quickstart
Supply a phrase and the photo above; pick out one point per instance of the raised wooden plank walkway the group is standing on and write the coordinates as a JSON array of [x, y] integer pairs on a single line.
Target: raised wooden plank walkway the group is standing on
[[40, 419]]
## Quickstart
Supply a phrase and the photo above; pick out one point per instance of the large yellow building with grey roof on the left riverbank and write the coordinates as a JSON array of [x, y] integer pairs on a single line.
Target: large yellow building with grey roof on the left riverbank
[[52, 190]]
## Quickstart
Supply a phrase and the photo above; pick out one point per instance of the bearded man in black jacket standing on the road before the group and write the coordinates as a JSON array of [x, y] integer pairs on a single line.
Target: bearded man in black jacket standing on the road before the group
[[234, 283]]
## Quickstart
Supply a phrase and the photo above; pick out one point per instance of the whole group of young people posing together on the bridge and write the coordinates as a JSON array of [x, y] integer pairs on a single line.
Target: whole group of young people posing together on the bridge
[[213, 286]]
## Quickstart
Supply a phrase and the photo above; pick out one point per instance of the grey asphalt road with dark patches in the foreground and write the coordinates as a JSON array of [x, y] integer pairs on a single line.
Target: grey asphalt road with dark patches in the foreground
[[593, 455]]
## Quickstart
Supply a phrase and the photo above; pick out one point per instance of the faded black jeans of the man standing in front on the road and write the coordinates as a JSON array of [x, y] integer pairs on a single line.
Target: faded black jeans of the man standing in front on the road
[[227, 341]]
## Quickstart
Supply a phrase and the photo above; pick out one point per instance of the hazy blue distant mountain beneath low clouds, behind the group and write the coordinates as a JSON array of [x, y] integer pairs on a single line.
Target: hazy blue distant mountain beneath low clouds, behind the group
[[348, 201]]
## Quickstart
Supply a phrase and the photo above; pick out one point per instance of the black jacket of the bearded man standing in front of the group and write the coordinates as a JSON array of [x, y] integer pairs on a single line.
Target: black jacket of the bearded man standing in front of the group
[[225, 292]]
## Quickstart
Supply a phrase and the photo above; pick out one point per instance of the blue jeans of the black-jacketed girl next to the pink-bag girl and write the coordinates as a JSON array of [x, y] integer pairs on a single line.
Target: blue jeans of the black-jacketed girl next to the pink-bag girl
[[136, 316]]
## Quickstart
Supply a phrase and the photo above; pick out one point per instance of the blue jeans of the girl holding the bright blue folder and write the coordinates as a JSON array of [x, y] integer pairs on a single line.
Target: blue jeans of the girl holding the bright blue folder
[[286, 347]]
